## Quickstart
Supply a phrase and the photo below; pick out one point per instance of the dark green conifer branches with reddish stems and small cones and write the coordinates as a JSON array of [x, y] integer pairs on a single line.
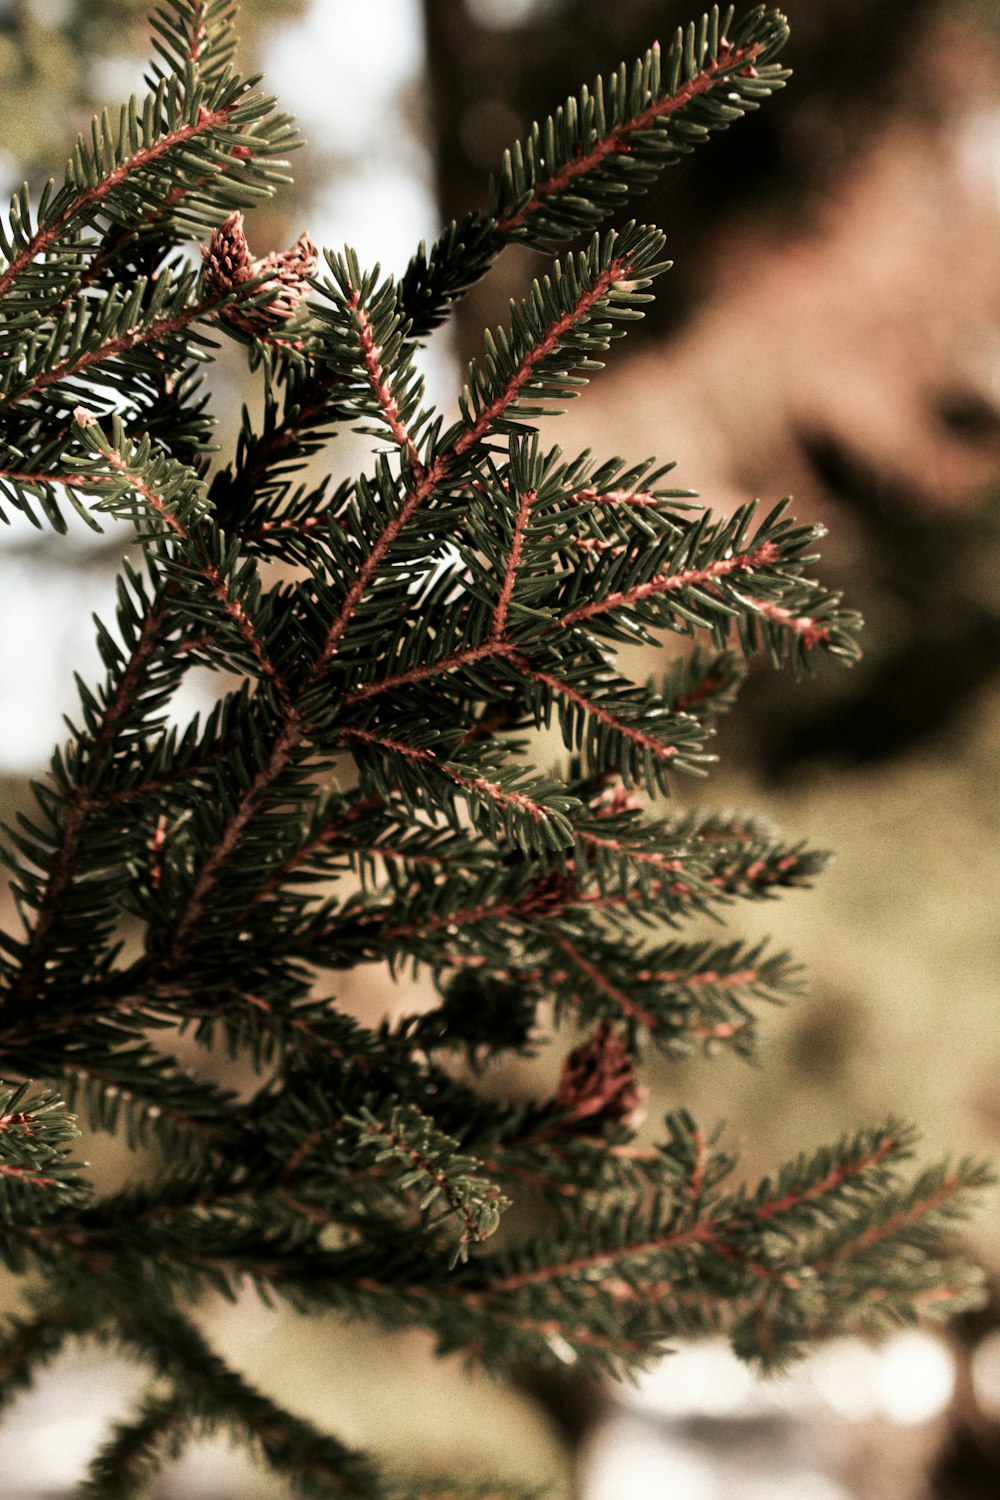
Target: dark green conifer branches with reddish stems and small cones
[[365, 793]]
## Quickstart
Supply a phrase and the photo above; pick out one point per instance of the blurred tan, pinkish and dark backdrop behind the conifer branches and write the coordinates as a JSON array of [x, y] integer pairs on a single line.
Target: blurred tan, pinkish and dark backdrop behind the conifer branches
[[831, 329]]
